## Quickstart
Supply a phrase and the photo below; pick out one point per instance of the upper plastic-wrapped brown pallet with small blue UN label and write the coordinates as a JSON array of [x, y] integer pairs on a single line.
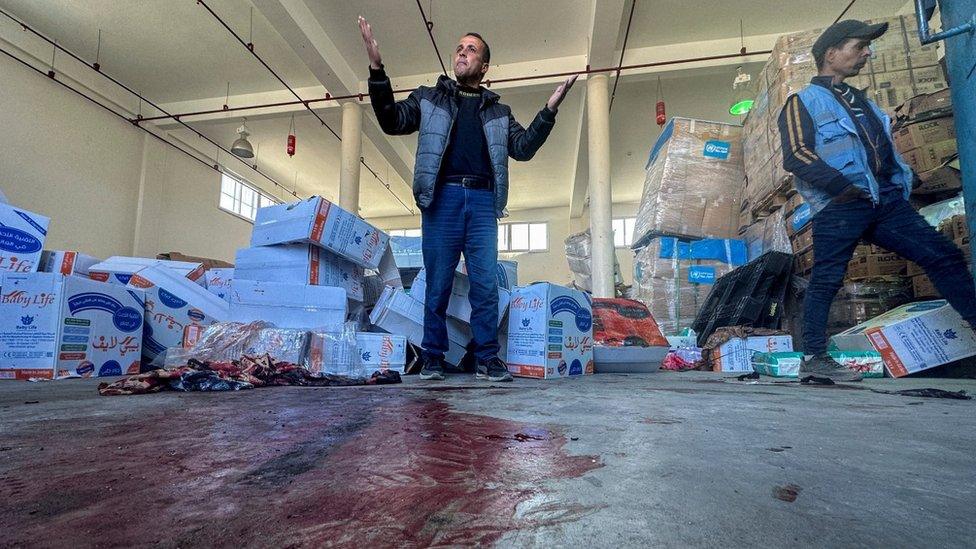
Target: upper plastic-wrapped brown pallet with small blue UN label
[[693, 182]]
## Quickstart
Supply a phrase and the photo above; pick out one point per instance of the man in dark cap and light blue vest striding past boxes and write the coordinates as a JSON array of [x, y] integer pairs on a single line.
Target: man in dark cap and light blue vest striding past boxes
[[838, 144]]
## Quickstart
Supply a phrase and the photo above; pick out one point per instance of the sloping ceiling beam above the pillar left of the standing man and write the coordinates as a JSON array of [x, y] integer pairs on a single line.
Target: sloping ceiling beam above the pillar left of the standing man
[[297, 25]]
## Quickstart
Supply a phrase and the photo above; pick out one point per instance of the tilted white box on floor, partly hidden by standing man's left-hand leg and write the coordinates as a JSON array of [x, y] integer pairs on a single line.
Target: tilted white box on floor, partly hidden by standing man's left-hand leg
[[400, 314]]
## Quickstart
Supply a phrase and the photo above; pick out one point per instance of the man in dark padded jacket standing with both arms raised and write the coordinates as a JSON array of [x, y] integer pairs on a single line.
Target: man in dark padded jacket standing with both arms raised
[[460, 184]]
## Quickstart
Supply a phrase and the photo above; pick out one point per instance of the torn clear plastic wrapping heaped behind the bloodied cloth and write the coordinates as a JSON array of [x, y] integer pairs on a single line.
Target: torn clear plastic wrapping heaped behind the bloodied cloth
[[229, 341]]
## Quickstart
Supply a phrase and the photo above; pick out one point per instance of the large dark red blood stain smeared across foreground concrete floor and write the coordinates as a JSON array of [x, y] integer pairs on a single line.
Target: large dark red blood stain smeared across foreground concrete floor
[[338, 468]]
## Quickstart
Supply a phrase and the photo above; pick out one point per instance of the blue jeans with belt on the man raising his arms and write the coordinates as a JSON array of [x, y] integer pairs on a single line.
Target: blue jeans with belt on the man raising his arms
[[461, 221]]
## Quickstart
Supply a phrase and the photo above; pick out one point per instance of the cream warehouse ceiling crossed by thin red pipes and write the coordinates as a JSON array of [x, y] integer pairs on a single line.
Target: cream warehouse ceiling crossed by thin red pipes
[[178, 54]]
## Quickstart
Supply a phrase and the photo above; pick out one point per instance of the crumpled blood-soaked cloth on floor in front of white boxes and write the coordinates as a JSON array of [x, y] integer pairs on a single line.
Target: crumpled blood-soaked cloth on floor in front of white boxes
[[246, 373]]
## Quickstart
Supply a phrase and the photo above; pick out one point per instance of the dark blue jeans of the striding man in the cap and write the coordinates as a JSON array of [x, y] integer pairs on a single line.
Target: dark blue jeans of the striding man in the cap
[[895, 226]]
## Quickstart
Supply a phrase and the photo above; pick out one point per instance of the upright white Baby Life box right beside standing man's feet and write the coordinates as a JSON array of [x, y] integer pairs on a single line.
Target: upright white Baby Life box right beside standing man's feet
[[550, 332]]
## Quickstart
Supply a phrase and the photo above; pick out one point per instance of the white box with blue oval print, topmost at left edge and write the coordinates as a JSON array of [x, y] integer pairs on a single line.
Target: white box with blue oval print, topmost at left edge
[[22, 235]]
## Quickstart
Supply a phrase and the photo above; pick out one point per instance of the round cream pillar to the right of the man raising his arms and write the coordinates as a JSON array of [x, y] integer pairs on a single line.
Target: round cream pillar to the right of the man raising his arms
[[598, 143]]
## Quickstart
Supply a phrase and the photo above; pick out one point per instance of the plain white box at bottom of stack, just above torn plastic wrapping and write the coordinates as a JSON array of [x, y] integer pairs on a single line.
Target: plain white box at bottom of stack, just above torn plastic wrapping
[[293, 306]]
